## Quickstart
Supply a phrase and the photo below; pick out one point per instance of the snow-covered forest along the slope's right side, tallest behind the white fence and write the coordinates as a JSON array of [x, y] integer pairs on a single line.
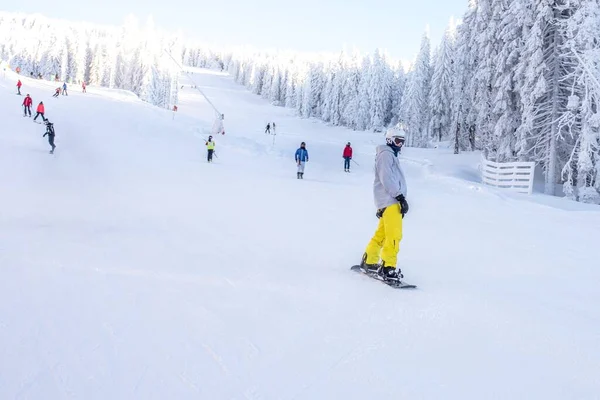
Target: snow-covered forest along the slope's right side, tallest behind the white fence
[[516, 79]]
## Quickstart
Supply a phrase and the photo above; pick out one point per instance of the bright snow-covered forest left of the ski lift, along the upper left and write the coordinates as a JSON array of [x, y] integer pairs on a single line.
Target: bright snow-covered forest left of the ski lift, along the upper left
[[130, 57]]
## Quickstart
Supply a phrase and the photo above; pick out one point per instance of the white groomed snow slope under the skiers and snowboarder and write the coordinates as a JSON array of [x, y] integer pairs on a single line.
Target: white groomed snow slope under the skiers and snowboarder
[[132, 269]]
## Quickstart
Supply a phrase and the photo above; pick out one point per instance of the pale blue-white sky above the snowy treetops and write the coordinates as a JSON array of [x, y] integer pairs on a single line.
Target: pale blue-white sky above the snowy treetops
[[305, 25]]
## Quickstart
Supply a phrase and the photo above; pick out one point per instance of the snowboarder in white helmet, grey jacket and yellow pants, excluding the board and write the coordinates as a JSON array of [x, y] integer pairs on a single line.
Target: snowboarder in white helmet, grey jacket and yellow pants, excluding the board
[[389, 190]]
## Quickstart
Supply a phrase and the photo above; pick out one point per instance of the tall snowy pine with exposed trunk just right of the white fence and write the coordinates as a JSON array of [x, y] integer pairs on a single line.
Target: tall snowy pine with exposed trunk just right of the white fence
[[549, 77]]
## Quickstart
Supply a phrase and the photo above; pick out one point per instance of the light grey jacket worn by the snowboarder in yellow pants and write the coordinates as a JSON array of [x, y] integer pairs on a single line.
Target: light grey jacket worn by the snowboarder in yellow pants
[[389, 178]]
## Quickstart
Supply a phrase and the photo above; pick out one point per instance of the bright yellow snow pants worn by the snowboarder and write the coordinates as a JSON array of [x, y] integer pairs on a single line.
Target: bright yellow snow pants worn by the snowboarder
[[386, 241]]
